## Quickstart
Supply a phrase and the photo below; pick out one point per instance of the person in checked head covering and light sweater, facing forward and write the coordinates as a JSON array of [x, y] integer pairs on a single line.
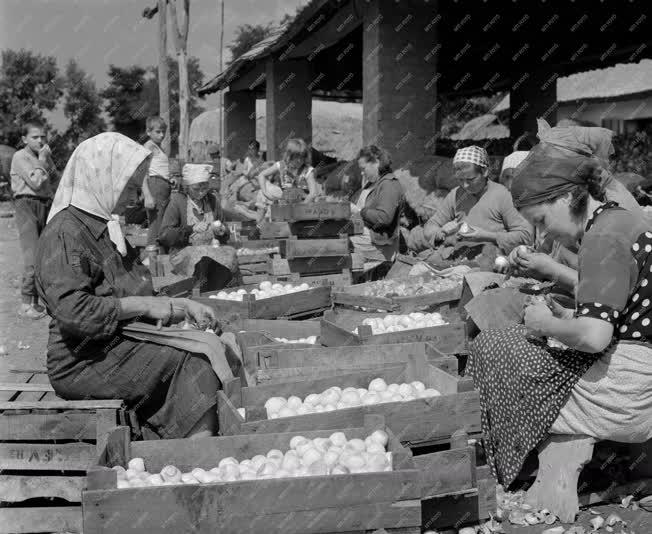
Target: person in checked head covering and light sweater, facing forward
[[485, 206]]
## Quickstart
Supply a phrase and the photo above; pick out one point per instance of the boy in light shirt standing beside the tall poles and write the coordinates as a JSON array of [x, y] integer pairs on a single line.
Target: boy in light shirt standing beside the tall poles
[[158, 185]]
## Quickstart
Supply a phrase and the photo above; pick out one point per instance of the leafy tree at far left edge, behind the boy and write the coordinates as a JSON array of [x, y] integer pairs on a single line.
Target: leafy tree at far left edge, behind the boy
[[29, 85]]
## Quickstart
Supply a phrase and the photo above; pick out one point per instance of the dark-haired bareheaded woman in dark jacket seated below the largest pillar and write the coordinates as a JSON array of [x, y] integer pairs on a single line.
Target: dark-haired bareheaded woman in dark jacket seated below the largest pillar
[[379, 204]]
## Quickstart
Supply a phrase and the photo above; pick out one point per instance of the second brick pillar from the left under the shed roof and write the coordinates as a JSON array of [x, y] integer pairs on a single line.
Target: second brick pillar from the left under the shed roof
[[289, 104]]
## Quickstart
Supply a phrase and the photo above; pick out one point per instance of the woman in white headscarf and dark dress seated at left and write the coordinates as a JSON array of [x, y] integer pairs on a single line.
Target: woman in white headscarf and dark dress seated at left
[[93, 283]]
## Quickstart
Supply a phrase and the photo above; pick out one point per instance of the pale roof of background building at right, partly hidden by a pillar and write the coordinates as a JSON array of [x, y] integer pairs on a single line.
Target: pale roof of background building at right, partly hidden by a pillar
[[624, 79]]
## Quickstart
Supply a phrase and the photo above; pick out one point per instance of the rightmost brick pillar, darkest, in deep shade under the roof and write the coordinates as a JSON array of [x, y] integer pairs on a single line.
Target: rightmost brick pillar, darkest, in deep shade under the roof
[[533, 95]]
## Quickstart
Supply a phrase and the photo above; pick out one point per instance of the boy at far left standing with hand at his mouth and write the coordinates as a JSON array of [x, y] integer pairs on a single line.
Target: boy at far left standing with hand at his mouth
[[34, 179]]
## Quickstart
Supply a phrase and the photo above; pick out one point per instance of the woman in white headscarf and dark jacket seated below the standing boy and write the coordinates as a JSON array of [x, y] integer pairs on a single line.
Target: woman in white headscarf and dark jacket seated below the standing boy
[[189, 217]]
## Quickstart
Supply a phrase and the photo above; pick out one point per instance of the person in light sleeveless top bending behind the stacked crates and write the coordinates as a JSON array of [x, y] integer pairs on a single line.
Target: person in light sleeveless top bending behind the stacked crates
[[293, 172]]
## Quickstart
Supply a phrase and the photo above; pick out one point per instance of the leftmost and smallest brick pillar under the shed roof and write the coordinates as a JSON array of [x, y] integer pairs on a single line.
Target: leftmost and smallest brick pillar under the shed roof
[[239, 122]]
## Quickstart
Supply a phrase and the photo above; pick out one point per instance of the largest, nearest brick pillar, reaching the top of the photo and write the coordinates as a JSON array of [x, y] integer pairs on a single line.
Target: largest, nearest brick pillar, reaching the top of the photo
[[399, 75]]
